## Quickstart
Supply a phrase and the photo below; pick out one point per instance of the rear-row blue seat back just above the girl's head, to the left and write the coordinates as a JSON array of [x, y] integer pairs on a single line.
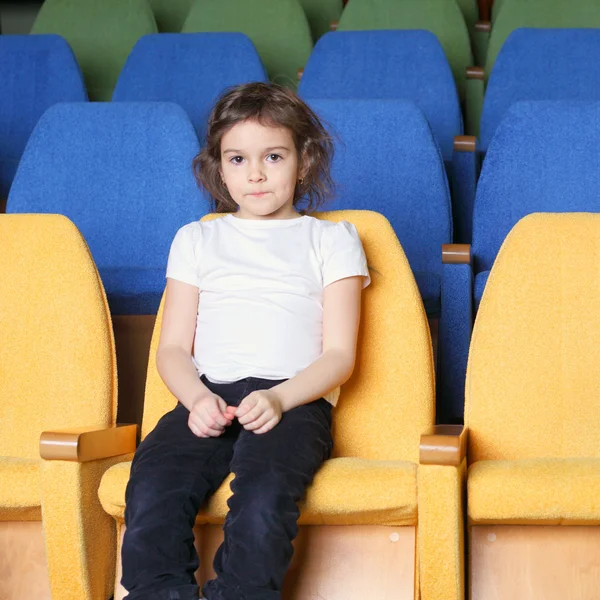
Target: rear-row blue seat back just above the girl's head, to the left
[[191, 69]]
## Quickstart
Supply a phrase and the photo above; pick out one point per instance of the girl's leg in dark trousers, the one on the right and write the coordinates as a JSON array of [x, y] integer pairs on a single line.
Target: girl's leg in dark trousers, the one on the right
[[272, 471]]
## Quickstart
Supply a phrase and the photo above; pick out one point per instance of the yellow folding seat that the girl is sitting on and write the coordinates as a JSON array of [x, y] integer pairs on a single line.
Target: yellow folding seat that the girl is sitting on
[[375, 523]]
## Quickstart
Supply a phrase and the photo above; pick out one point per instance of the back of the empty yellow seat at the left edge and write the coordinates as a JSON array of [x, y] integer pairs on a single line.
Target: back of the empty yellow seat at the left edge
[[57, 360]]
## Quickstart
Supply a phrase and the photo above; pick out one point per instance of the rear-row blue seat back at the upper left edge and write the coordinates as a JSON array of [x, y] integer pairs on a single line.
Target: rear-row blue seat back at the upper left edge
[[36, 72]]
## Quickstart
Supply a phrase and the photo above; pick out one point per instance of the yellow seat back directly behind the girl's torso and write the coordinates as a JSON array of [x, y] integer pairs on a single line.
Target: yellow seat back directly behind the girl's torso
[[389, 401]]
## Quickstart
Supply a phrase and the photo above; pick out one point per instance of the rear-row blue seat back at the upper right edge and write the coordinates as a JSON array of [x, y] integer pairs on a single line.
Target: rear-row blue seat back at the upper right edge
[[541, 64]]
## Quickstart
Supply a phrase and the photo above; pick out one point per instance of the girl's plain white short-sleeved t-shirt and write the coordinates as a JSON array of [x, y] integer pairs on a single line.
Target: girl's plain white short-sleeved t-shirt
[[260, 309]]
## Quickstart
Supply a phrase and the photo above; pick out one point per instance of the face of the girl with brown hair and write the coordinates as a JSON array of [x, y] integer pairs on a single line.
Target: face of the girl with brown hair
[[259, 167]]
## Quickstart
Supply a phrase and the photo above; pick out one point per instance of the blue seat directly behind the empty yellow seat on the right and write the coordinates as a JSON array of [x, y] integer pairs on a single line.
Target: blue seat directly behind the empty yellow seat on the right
[[543, 158]]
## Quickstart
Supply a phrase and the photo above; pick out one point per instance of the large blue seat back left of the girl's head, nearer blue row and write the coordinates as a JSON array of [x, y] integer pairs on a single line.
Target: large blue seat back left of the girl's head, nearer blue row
[[122, 173]]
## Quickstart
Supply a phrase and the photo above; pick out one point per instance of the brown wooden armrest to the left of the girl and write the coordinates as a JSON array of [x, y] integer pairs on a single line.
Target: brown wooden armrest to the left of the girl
[[88, 443]]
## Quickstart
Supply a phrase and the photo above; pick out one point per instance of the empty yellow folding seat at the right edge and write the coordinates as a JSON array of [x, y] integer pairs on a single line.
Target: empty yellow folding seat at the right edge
[[532, 414]]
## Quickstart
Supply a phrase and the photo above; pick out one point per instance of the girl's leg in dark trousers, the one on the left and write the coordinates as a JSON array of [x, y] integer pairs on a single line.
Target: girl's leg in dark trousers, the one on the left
[[173, 472]]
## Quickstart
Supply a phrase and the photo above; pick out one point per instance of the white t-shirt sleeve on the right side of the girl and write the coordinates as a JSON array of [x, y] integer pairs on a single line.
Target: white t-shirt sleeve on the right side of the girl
[[343, 254]]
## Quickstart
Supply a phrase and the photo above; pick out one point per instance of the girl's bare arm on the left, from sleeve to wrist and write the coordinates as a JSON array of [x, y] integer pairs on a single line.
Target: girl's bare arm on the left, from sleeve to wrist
[[174, 354]]
